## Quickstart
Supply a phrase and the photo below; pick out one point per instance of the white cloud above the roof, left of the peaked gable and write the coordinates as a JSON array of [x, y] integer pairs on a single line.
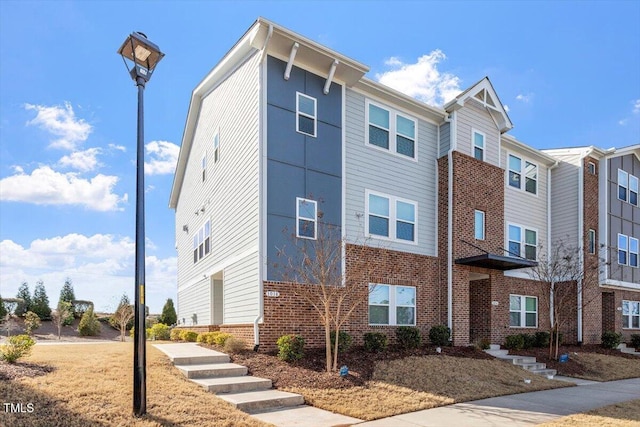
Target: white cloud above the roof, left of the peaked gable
[[422, 80]]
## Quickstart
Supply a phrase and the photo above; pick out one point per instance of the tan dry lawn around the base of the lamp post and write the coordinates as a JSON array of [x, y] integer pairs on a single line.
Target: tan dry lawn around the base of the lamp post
[[92, 385]]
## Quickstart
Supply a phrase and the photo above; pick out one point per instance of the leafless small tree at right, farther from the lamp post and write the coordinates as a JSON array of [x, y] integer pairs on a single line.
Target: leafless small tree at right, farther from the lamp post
[[564, 273]]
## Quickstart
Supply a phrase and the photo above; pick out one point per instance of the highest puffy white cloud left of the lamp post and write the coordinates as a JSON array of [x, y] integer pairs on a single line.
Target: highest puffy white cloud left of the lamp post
[[61, 122]]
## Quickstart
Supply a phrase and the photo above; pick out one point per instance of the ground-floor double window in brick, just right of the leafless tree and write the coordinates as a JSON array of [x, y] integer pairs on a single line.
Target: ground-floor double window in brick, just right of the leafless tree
[[392, 305]]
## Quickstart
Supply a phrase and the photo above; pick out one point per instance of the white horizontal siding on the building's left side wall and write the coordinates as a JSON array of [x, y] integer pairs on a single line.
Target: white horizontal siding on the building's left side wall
[[229, 194]]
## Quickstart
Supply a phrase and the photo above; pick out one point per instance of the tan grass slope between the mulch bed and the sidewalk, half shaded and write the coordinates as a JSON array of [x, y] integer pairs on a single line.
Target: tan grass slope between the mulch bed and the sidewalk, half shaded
[[415, 383]]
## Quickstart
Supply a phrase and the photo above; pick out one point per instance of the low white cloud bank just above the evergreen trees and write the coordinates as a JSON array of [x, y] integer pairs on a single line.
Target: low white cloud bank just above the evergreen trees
[[101, 268]]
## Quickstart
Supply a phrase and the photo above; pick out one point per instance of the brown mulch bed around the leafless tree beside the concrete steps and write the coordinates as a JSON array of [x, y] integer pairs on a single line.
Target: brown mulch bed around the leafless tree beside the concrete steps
[[310, 372]]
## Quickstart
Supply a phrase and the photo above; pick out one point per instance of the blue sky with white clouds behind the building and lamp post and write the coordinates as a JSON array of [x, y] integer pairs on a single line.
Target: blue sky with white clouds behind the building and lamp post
[[569, 73]]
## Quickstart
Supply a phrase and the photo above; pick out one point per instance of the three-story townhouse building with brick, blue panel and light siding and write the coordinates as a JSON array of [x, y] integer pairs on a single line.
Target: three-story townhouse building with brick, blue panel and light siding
[[286, 134]]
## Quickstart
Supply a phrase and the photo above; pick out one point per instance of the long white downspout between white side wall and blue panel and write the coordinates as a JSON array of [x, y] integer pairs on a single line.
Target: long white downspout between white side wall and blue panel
[[262, 138]]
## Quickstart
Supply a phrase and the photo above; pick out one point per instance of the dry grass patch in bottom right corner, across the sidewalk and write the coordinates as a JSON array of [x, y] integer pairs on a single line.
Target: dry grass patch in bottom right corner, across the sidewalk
[[626, 414]]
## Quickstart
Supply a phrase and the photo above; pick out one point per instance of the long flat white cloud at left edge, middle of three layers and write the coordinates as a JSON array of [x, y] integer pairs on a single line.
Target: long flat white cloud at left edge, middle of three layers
[[47, 187]]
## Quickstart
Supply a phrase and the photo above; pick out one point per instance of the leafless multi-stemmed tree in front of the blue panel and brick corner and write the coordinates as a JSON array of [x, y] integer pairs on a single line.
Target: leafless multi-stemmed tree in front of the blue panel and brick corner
[[316, 270]]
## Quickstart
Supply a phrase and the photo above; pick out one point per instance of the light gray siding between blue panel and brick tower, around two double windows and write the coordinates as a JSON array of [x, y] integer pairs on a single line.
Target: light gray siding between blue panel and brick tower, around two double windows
[[370, 169]]
